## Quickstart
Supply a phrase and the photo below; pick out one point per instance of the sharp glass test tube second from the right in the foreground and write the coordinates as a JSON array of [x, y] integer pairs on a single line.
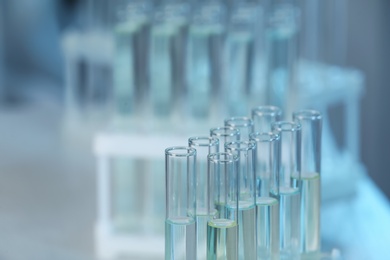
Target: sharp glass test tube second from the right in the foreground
[[289, 189]]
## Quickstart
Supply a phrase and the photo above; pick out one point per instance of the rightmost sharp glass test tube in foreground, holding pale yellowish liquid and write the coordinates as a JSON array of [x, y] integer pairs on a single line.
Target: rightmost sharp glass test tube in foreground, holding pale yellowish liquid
[[311, 123]]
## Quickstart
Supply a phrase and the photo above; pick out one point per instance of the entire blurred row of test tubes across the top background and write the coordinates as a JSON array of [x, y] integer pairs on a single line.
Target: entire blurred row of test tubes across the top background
[[174, 59]]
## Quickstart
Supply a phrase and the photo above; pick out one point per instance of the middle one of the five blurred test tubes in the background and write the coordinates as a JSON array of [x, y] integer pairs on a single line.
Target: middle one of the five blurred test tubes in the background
[[205, 59]]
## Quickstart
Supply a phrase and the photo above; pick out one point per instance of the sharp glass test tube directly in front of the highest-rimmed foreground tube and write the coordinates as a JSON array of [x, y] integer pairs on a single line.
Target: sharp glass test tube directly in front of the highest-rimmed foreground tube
[[267, 194]]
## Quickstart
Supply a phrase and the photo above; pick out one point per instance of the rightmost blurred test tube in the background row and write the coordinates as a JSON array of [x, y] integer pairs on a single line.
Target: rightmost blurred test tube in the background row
[[282, 26]]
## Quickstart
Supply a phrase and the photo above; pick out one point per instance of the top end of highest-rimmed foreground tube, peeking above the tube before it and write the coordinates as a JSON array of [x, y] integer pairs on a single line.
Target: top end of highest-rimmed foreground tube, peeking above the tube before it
[[264, 116]]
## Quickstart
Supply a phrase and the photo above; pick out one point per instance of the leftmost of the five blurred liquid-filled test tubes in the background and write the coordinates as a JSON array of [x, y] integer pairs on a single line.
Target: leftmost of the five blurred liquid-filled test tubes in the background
[[131, 38]]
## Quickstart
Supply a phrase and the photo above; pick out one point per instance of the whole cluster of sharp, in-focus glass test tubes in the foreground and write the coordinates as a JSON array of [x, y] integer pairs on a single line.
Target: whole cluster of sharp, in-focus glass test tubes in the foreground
[[250, 190]]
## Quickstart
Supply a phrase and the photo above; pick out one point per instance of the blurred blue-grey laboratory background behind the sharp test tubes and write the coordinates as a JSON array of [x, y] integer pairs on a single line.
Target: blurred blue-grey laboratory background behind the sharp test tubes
[[92, 91]]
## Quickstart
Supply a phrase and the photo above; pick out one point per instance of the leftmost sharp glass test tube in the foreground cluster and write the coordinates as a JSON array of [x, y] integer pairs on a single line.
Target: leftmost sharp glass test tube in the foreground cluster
[[180, 224]]
